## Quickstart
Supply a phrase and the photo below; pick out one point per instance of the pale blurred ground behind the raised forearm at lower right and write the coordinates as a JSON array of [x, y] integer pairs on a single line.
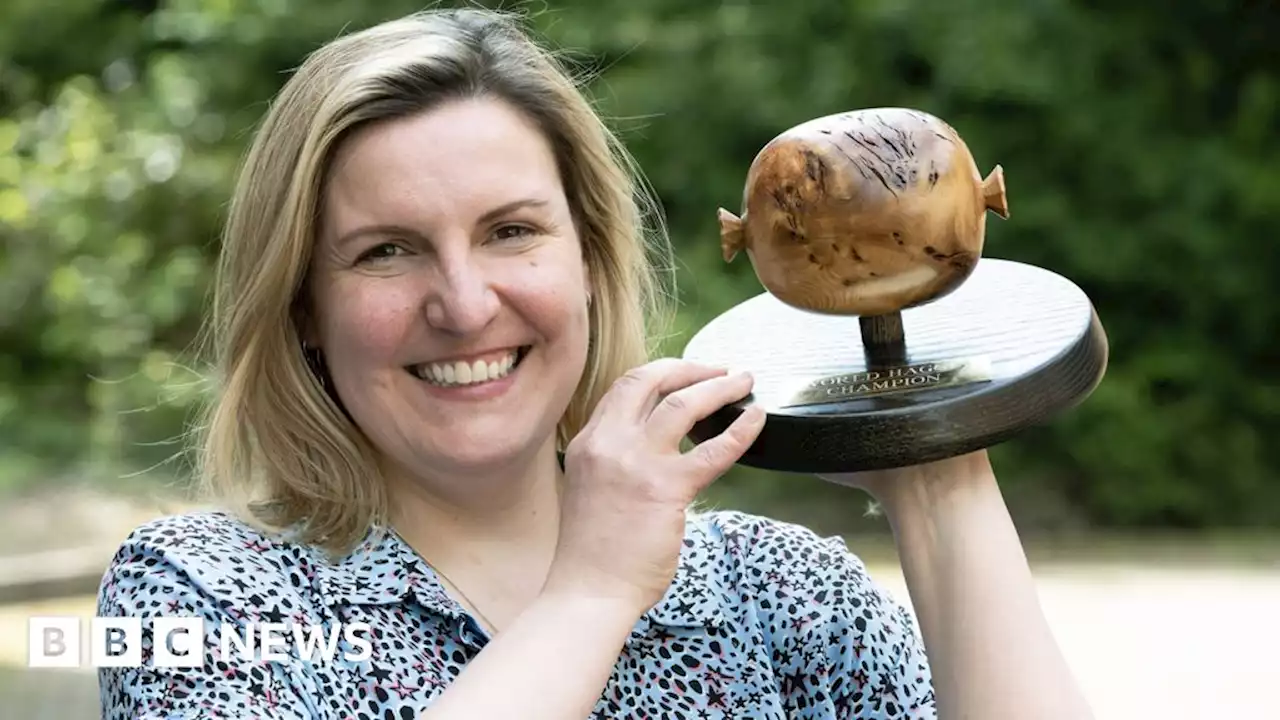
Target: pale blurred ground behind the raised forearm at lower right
[[1163, 642]]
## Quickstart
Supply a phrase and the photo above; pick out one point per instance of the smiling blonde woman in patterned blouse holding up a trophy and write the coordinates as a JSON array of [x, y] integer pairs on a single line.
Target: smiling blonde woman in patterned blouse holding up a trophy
[[437, 418]]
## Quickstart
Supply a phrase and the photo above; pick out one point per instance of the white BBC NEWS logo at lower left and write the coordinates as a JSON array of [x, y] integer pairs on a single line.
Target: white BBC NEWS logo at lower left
[[180, 642]]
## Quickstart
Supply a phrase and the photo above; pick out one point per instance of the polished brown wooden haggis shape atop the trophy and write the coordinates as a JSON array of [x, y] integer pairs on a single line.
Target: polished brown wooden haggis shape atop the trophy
[[865, 213]]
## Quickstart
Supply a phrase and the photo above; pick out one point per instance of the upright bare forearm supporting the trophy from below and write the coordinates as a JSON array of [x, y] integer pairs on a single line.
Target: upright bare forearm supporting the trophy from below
[[990, 648]]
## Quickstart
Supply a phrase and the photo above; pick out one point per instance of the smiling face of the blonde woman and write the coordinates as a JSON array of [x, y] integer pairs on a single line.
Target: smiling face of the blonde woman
[[450, 291]]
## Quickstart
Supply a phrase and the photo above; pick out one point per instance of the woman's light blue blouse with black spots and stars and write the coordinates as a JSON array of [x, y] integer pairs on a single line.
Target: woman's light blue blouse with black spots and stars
[[765, 621]]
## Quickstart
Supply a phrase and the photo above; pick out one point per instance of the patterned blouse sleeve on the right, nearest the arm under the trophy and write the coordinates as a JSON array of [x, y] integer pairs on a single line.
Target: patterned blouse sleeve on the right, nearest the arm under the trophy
[[842, 645]]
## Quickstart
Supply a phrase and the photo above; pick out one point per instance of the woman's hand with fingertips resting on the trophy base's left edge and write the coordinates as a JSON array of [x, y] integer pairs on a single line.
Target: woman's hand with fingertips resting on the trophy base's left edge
[[629, 485]]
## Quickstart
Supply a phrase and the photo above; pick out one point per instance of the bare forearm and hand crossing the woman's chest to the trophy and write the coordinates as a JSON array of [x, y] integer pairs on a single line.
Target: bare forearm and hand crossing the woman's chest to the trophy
[[623, 523]]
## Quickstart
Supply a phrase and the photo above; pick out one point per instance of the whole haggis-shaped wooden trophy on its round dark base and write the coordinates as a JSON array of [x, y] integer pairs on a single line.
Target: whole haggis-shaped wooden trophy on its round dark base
[[884, 340]]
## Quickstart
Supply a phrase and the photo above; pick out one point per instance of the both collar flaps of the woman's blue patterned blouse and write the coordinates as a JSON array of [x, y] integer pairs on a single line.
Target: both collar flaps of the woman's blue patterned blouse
[[383, 569]]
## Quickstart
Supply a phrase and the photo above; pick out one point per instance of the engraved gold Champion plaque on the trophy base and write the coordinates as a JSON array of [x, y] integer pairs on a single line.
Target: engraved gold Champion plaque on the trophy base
[[892, 381]]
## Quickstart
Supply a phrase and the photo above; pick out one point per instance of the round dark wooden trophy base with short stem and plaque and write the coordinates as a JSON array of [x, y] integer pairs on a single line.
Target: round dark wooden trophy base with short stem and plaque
[[1012, 348]]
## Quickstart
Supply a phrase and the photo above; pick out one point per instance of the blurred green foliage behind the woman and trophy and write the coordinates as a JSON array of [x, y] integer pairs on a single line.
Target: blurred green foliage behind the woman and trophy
[[1140, 143]]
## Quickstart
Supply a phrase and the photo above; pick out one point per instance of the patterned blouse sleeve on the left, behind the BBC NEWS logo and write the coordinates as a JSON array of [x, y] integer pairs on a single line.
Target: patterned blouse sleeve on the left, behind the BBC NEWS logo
[[152, 580]]
